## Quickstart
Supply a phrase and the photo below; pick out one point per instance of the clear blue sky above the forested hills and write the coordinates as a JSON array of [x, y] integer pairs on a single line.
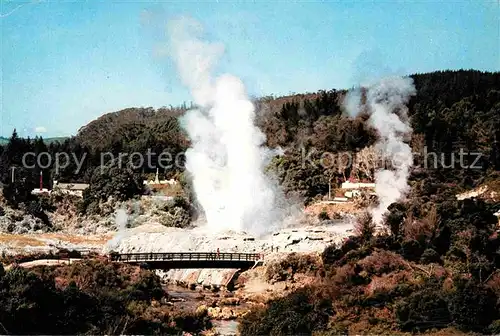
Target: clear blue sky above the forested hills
[[64, 63]]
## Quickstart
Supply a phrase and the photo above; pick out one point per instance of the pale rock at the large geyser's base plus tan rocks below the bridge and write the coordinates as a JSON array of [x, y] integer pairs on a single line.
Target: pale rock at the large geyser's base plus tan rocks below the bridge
[[207, 289]]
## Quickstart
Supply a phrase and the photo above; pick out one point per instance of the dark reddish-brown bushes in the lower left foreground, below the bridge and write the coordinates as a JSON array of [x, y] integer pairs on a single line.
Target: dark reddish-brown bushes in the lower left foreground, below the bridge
[[91, 298]]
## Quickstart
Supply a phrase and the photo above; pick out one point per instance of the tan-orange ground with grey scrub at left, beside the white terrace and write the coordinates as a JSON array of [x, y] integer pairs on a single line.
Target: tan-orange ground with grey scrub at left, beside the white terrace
[[21, 232]]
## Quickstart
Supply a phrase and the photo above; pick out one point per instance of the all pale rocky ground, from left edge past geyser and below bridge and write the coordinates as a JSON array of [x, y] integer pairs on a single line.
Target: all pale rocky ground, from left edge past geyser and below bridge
[[143, 230]]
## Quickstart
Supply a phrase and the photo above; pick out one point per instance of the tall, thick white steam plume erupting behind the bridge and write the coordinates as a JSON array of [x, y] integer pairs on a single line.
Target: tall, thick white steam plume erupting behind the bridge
[[227, 157]]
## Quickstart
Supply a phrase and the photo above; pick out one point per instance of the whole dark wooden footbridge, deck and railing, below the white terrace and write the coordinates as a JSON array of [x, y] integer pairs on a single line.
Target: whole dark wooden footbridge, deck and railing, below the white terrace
[[175, 260]]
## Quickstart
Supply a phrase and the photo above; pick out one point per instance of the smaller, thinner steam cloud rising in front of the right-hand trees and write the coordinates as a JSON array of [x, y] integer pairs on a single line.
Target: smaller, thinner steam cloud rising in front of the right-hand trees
[[386, 102]]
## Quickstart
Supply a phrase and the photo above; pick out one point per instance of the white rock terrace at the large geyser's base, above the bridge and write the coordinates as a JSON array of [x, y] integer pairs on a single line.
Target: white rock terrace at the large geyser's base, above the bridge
[[158, 238]]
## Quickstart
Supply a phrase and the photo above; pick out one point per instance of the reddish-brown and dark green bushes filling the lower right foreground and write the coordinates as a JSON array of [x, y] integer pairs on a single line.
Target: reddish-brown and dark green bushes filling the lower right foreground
[[433, 272]]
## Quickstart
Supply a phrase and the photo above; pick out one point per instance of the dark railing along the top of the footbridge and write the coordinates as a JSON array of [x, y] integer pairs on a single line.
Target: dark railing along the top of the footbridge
[[184, 256]]
